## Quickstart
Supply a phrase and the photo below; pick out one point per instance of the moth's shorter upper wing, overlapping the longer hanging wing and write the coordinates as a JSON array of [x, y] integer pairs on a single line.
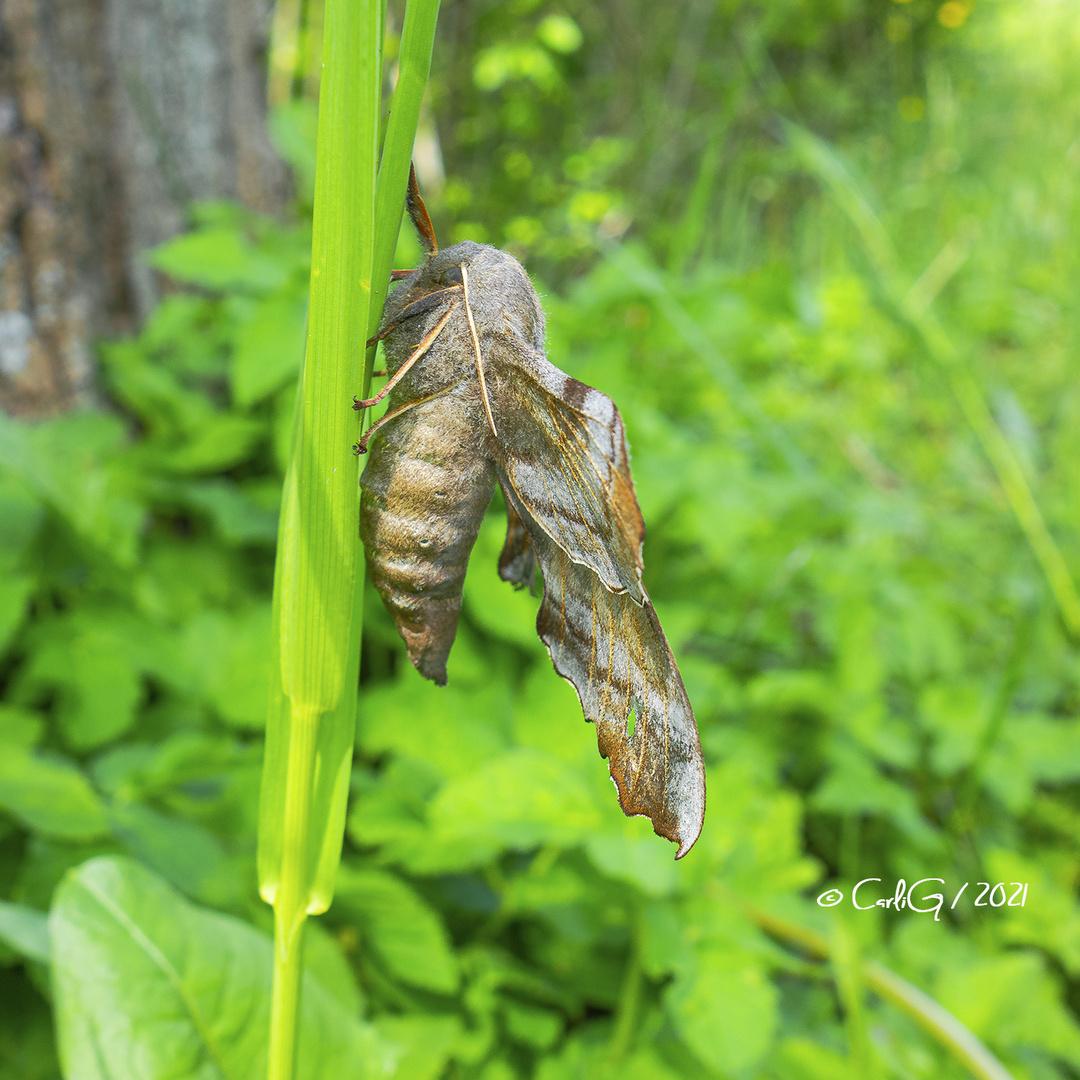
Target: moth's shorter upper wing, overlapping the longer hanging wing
[[563, 451]]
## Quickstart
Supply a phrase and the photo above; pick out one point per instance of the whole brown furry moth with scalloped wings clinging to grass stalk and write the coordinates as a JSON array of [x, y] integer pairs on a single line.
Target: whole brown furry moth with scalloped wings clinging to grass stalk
[[476, 403]]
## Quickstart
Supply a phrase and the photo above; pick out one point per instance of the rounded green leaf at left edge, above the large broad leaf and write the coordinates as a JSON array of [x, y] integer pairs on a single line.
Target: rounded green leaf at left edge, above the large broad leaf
[[49, 795]]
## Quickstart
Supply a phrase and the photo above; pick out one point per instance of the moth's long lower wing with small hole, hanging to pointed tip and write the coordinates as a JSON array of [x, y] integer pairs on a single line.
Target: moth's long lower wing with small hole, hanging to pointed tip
[[614, 652]]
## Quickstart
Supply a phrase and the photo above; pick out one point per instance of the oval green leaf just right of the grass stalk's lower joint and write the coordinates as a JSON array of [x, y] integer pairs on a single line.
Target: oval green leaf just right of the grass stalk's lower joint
[[406, 933]]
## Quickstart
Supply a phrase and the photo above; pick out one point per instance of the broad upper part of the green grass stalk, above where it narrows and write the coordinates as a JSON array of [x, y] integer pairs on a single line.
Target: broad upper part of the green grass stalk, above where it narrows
[[319, 566]]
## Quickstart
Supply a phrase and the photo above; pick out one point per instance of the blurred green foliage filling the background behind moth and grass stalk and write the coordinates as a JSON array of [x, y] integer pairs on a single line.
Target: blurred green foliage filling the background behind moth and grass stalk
[[881, 676]]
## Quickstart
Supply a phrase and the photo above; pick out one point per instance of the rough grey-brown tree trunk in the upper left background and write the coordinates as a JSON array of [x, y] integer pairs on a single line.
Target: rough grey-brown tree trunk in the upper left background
[[115, 115]]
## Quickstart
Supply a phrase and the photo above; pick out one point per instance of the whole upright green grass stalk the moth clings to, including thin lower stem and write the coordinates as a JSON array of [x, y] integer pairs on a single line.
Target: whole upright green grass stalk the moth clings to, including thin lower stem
[[314, 701]]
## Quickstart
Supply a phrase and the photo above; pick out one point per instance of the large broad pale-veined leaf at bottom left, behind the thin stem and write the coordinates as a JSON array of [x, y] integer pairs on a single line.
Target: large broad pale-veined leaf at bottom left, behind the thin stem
[[151, 988]]
